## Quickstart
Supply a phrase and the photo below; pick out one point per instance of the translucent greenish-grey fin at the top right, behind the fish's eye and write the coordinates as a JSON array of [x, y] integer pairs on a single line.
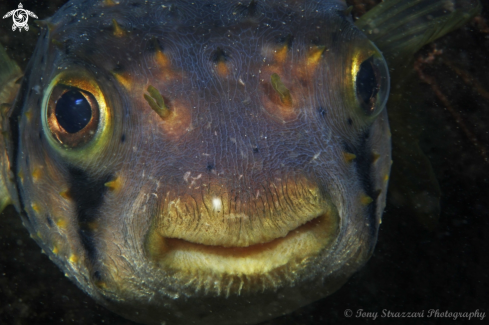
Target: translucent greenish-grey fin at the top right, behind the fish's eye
[[400, 28]]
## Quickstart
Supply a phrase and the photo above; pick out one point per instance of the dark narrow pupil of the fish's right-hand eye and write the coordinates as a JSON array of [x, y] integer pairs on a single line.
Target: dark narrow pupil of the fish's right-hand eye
[[367, 84]]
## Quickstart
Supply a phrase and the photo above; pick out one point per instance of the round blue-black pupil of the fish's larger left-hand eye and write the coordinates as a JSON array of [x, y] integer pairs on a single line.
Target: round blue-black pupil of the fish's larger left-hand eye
[[73, 111]]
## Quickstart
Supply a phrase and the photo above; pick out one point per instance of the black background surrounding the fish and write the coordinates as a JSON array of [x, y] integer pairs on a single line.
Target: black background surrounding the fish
[[412, 270]]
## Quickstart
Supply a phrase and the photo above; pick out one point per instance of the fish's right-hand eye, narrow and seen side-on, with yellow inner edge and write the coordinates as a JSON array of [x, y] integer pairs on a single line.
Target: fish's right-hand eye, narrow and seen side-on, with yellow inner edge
[[370, 82]]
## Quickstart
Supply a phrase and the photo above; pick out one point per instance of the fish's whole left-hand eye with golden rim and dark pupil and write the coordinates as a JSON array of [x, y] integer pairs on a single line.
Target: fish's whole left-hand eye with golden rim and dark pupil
[[75, 115]]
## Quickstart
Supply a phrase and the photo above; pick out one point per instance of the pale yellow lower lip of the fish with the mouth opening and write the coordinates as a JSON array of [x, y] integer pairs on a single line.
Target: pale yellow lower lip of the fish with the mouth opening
[[255, 260]]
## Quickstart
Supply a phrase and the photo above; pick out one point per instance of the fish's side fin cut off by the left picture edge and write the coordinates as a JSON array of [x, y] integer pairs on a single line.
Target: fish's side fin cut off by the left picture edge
[[9, 74]]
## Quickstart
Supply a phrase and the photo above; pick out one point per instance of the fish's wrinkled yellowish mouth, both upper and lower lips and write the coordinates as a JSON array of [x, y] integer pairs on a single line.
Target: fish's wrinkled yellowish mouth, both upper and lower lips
[[242, 230]]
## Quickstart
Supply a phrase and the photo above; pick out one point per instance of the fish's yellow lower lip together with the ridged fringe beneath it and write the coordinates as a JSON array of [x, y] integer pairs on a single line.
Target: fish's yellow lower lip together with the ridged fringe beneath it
[[230, 270]]
